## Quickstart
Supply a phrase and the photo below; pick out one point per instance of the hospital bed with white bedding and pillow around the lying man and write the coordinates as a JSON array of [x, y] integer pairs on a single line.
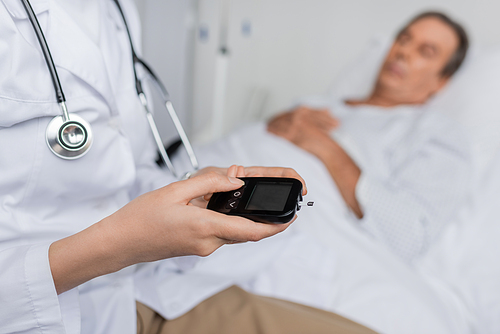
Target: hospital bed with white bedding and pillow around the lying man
[[454, 288]]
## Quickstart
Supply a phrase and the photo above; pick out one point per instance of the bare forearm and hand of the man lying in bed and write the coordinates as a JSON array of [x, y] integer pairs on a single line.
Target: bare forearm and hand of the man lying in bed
[[309, 129]]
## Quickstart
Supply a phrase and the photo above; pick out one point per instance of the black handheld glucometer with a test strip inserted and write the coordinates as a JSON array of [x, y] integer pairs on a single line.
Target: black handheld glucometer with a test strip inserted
[[263, 199]]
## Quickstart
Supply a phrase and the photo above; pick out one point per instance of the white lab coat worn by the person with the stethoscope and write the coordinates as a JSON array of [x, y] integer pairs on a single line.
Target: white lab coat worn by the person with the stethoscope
[[44, 198]]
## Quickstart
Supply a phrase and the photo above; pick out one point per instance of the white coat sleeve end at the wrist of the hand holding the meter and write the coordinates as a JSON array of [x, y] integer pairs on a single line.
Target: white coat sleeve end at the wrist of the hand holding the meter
[[28, 299]]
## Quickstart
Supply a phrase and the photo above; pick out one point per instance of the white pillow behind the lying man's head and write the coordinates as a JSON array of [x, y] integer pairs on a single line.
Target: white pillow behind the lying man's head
[[472, 96]]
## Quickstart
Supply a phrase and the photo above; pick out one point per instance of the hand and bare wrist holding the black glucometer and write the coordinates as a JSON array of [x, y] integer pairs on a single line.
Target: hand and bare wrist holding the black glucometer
[[157, 225]]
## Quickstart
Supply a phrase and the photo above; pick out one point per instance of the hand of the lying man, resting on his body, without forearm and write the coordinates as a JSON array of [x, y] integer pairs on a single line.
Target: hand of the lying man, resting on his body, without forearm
[[305, 127]]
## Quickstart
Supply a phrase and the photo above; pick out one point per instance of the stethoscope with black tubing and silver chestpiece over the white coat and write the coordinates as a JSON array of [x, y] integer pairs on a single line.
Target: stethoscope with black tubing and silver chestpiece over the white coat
[[70, 137]]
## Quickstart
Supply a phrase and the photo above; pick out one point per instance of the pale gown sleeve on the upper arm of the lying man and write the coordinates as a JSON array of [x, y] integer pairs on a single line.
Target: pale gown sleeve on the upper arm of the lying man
[[409, 207]]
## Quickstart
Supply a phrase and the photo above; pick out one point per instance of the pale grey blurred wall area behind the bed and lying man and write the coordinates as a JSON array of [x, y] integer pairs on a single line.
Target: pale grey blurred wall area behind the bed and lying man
[[228, 62]]
